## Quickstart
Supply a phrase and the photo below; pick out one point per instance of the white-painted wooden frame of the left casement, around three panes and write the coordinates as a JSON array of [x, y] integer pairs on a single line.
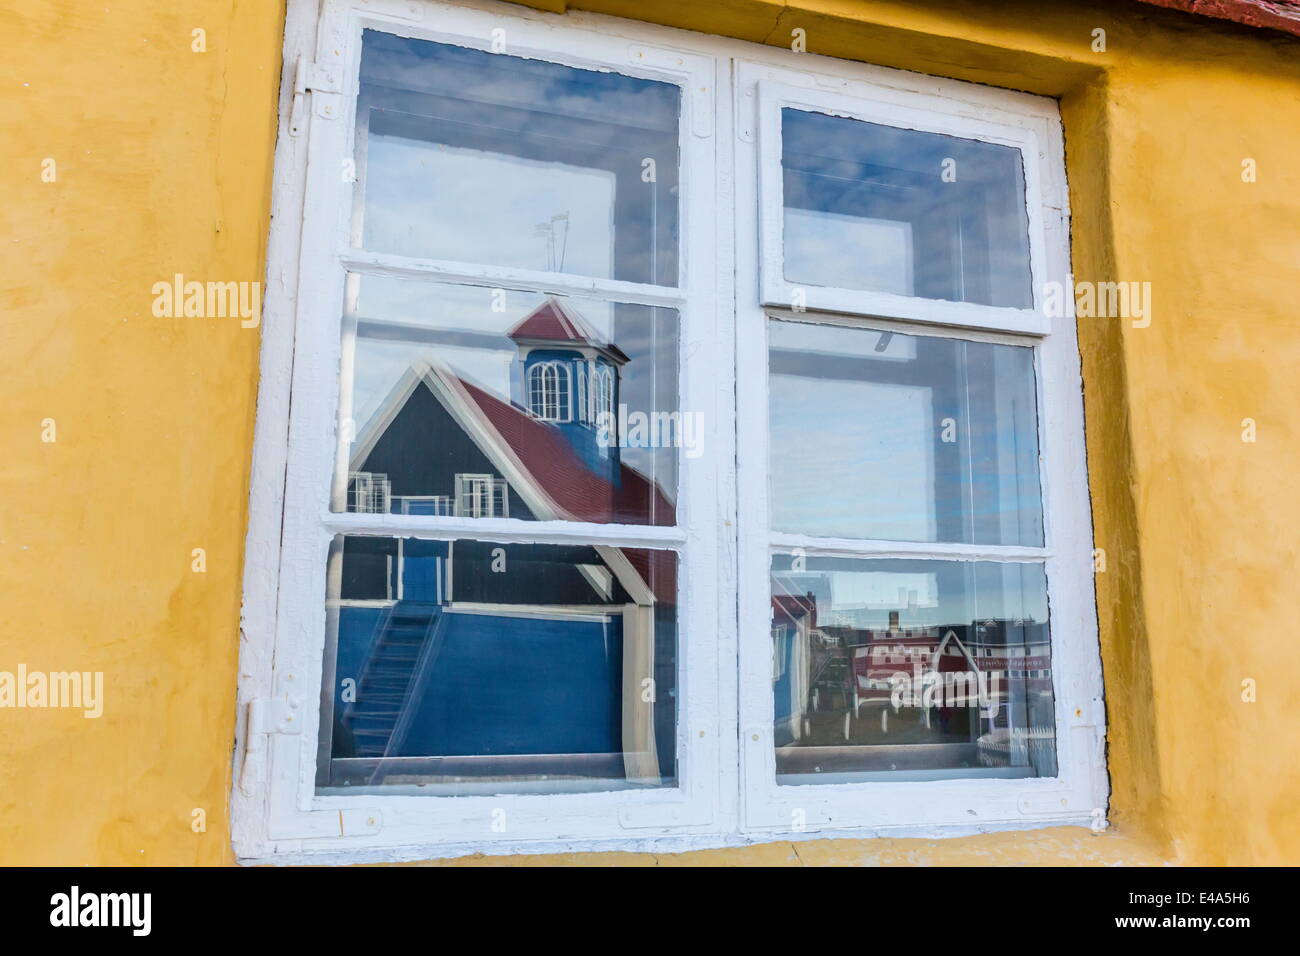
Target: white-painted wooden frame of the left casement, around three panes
[[276, 810]]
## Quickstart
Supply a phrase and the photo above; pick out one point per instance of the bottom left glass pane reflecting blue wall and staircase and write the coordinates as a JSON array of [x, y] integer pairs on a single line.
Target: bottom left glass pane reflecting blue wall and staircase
[[476, 668]]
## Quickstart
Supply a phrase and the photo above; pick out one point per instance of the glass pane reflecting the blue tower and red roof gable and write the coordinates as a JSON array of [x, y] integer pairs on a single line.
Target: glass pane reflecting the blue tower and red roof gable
[[502, 404]]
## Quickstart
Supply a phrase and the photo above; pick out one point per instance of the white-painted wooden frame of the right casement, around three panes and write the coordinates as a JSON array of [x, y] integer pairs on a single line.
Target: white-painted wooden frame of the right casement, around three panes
[[1032, 124]]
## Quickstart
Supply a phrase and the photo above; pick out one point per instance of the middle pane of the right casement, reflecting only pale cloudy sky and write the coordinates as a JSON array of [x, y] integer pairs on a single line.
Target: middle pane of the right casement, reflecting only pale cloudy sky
[[881, 435]]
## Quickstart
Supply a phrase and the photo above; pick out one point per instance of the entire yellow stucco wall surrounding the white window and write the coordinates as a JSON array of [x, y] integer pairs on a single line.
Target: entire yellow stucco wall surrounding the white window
[[164, 162]]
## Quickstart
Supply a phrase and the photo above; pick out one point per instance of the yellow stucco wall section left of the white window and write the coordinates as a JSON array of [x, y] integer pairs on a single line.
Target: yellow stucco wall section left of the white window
[[163, 161]]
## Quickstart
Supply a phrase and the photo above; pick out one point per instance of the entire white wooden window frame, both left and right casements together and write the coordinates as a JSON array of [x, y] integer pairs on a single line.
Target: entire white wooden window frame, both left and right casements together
[[726, 793]]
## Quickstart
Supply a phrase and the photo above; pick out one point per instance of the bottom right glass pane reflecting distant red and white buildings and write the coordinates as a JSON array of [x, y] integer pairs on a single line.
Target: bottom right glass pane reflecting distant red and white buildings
[[911, 671]]
